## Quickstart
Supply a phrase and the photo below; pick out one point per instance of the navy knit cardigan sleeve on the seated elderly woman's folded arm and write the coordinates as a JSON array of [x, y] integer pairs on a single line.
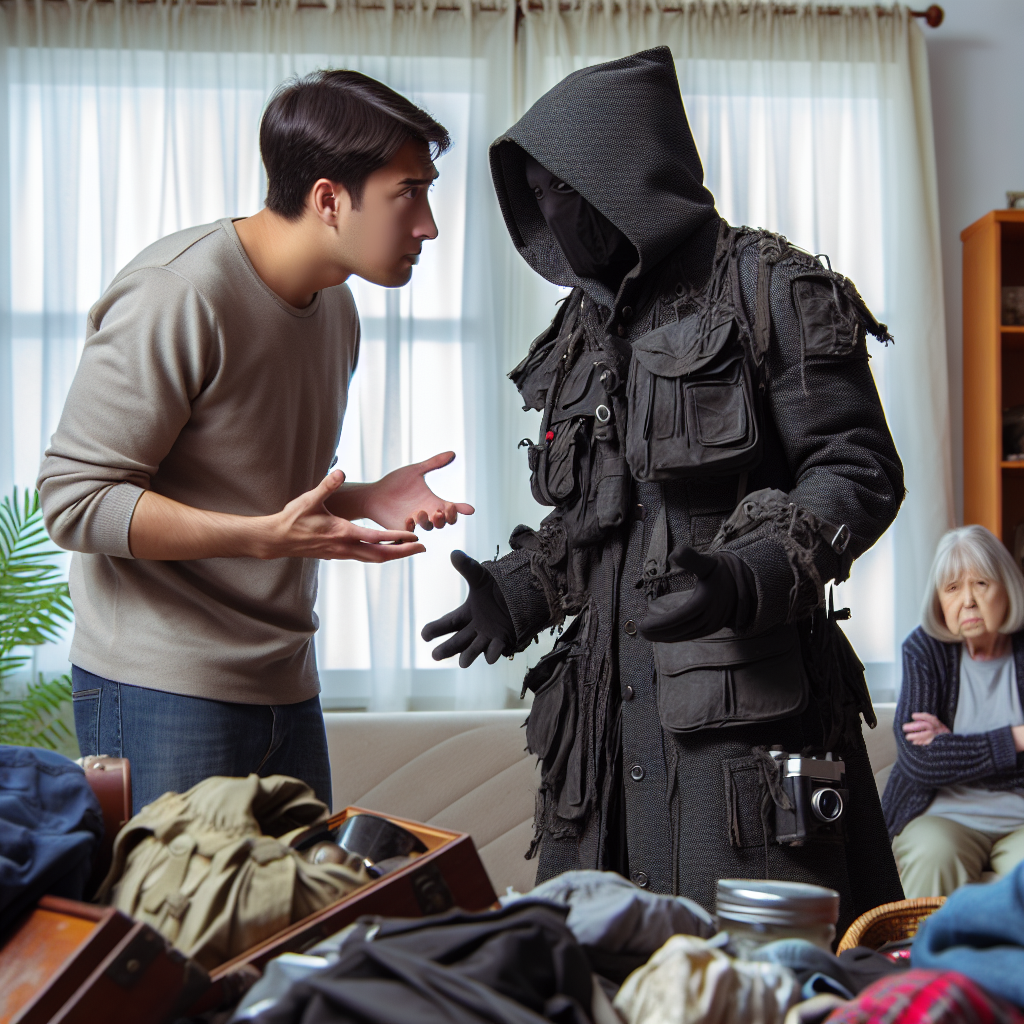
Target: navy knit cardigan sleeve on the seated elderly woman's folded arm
[[954, 757]]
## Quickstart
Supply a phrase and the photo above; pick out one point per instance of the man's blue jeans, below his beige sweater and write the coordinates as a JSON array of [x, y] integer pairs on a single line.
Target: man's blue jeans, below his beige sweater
[[174, 742]]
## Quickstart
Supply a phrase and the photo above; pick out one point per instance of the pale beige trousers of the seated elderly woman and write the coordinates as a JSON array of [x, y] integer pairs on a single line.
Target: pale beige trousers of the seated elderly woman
[[936, 857]]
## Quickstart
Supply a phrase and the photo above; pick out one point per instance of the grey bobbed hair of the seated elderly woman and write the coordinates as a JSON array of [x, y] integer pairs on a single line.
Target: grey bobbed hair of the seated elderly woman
[[962, 550]]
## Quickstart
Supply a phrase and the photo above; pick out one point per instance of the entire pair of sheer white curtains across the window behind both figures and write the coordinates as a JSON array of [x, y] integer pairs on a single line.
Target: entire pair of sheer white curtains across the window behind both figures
[[120, 123]]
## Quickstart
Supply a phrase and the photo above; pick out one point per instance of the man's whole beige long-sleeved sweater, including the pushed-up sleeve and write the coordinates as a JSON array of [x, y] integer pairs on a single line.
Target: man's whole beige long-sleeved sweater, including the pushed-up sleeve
[[200, 383]]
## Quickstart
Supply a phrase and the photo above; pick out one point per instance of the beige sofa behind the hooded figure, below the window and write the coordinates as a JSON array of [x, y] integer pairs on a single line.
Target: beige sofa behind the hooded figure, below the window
[[471, 772]]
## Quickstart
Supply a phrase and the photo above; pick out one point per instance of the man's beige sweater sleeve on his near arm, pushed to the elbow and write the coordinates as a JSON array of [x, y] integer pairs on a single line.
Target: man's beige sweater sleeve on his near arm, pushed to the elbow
[[147, 357]]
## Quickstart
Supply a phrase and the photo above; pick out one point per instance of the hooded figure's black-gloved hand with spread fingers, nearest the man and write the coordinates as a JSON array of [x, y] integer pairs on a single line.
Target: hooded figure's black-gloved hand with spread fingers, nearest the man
[[484, 624]]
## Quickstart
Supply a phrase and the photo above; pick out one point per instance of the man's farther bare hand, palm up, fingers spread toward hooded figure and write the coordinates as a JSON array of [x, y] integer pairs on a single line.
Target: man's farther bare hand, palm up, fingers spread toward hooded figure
[[402, 500]]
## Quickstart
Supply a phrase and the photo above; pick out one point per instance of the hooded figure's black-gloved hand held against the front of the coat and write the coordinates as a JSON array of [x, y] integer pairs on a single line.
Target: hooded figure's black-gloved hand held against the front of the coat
[[726, 595]]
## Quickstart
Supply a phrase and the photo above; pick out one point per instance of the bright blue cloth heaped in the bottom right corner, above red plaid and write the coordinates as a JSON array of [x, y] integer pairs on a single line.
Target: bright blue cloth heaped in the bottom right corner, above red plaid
[[979, 931]]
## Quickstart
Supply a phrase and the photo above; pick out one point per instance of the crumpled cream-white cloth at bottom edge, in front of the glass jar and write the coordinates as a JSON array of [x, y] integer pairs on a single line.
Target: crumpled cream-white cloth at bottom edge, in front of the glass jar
[[689, 982]]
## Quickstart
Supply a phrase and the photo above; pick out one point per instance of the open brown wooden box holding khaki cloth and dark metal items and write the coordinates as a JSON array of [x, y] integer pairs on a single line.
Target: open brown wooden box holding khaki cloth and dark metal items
[[449, 875]]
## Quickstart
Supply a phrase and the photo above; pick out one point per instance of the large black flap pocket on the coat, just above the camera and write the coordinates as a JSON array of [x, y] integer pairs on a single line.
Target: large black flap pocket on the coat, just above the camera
[[724, 680]]
